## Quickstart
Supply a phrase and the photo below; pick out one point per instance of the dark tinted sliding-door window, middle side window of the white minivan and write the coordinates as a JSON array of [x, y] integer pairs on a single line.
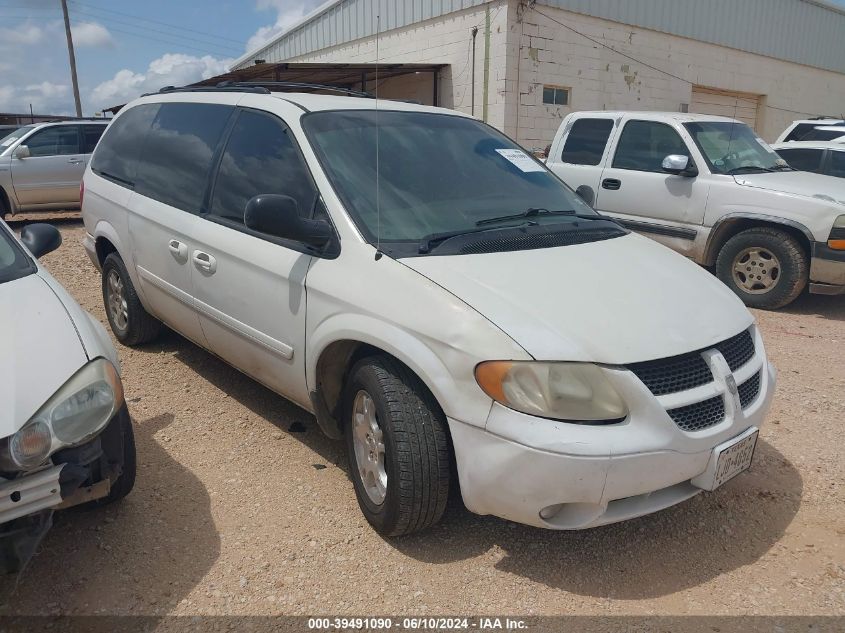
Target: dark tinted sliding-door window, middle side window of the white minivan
[[177, 156]]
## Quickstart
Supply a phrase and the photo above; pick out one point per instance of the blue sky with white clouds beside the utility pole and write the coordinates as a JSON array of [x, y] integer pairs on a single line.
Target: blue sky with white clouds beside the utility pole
[[127, 47]]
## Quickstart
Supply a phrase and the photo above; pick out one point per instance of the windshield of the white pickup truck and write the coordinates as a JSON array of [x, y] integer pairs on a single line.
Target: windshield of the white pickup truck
[[733, 148]]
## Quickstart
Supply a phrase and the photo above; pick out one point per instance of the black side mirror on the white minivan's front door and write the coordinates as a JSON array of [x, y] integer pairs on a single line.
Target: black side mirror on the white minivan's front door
[[278, 216]]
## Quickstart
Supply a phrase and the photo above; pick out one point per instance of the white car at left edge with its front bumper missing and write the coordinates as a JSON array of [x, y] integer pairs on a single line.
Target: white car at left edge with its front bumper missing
[[66, 433]]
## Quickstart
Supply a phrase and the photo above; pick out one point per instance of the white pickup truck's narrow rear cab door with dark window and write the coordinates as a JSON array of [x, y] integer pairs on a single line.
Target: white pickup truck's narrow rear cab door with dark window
[[580, 150]]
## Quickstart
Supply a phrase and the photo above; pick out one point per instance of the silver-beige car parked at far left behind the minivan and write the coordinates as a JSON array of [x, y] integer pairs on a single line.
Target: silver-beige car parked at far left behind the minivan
[[41, 165]]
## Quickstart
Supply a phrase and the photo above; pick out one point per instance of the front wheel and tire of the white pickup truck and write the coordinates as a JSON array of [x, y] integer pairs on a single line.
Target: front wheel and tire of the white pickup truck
[[775, 253]]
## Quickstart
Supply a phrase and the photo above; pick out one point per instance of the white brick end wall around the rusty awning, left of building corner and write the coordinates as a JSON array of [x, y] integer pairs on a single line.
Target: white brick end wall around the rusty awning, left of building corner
[[445, 39]]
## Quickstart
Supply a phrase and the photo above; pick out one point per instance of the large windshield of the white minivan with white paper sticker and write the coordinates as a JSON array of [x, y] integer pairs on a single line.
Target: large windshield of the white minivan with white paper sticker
[[438, 175]]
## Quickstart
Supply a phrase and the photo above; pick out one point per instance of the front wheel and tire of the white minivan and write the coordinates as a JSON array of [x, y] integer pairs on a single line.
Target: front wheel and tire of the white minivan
[[414, 444]]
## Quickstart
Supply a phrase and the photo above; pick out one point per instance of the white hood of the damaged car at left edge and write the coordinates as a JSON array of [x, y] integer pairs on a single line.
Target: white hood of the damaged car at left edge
[[39, 349]]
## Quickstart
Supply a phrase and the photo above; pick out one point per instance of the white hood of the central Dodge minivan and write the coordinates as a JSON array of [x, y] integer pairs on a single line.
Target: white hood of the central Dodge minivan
[[616, 301]]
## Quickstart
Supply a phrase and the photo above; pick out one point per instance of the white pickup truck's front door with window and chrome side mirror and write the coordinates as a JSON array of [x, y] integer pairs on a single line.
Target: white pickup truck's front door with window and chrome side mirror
[[635, 189]]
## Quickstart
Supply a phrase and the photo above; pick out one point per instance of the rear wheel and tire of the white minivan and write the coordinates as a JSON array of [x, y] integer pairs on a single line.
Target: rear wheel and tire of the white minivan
[[134, 326]]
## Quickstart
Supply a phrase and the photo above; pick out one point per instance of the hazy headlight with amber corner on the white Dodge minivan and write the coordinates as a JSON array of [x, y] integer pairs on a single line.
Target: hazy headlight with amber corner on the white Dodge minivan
[[574, 392]]
